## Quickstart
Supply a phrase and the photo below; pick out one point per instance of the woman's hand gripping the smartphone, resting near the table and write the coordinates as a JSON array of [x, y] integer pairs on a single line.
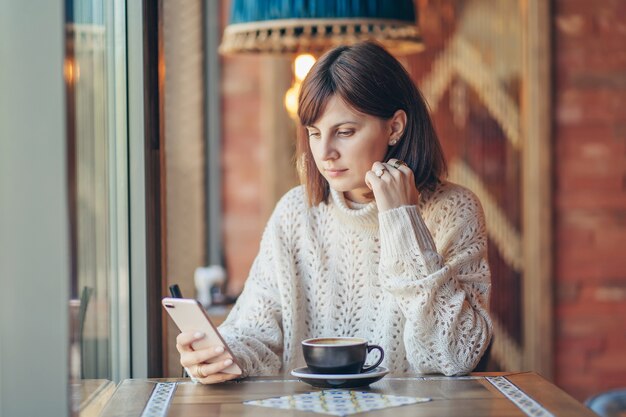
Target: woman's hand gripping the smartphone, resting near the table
[[206, 364]]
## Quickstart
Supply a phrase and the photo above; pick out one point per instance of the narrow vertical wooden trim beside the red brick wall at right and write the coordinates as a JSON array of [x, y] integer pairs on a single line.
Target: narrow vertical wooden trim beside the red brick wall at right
[[537, 192]]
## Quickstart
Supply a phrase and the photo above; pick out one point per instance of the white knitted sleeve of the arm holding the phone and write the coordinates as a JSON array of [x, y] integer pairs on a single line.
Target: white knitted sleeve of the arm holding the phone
[[253, 329]]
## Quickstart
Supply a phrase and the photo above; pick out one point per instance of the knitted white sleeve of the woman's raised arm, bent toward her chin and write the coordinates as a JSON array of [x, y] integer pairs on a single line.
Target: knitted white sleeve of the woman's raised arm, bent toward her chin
[[441, 282]]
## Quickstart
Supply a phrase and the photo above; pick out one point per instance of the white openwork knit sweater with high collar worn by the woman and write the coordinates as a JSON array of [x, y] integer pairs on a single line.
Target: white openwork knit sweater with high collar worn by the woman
[[414, 280]]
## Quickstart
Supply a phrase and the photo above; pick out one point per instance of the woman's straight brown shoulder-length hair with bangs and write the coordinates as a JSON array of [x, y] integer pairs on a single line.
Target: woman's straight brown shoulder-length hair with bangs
[[372, 81]]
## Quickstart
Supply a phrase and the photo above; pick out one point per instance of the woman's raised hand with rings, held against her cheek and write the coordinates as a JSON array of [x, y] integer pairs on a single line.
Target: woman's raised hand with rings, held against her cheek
[[393, 184]]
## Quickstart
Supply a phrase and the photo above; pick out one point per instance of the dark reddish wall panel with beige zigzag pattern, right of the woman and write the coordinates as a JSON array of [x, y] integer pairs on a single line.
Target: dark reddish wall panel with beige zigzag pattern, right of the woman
[[472, 76]]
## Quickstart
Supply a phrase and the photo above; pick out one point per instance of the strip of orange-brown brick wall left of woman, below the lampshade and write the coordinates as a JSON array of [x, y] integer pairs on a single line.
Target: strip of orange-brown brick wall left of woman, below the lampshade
[[242, 164]]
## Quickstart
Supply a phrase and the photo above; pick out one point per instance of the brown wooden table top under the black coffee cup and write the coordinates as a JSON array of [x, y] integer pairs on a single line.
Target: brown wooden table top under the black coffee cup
[[477, 395]]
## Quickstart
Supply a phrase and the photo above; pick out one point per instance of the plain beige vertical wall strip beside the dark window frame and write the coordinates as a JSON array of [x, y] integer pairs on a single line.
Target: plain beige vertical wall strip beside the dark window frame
[[184, 151]]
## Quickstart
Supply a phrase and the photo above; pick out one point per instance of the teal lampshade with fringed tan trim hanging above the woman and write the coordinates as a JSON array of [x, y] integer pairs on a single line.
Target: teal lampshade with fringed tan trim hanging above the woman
[[299, 26]]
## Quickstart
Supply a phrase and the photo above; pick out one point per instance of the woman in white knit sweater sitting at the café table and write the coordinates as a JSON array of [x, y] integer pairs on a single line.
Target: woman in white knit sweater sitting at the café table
[[375, 244]]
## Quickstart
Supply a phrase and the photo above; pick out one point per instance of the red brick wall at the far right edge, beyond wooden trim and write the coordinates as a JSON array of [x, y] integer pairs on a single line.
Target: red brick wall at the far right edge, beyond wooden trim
[[590, 194]]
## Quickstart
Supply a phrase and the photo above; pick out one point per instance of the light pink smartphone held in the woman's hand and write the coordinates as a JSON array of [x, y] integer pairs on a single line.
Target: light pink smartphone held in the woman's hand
[[190, 316]]
